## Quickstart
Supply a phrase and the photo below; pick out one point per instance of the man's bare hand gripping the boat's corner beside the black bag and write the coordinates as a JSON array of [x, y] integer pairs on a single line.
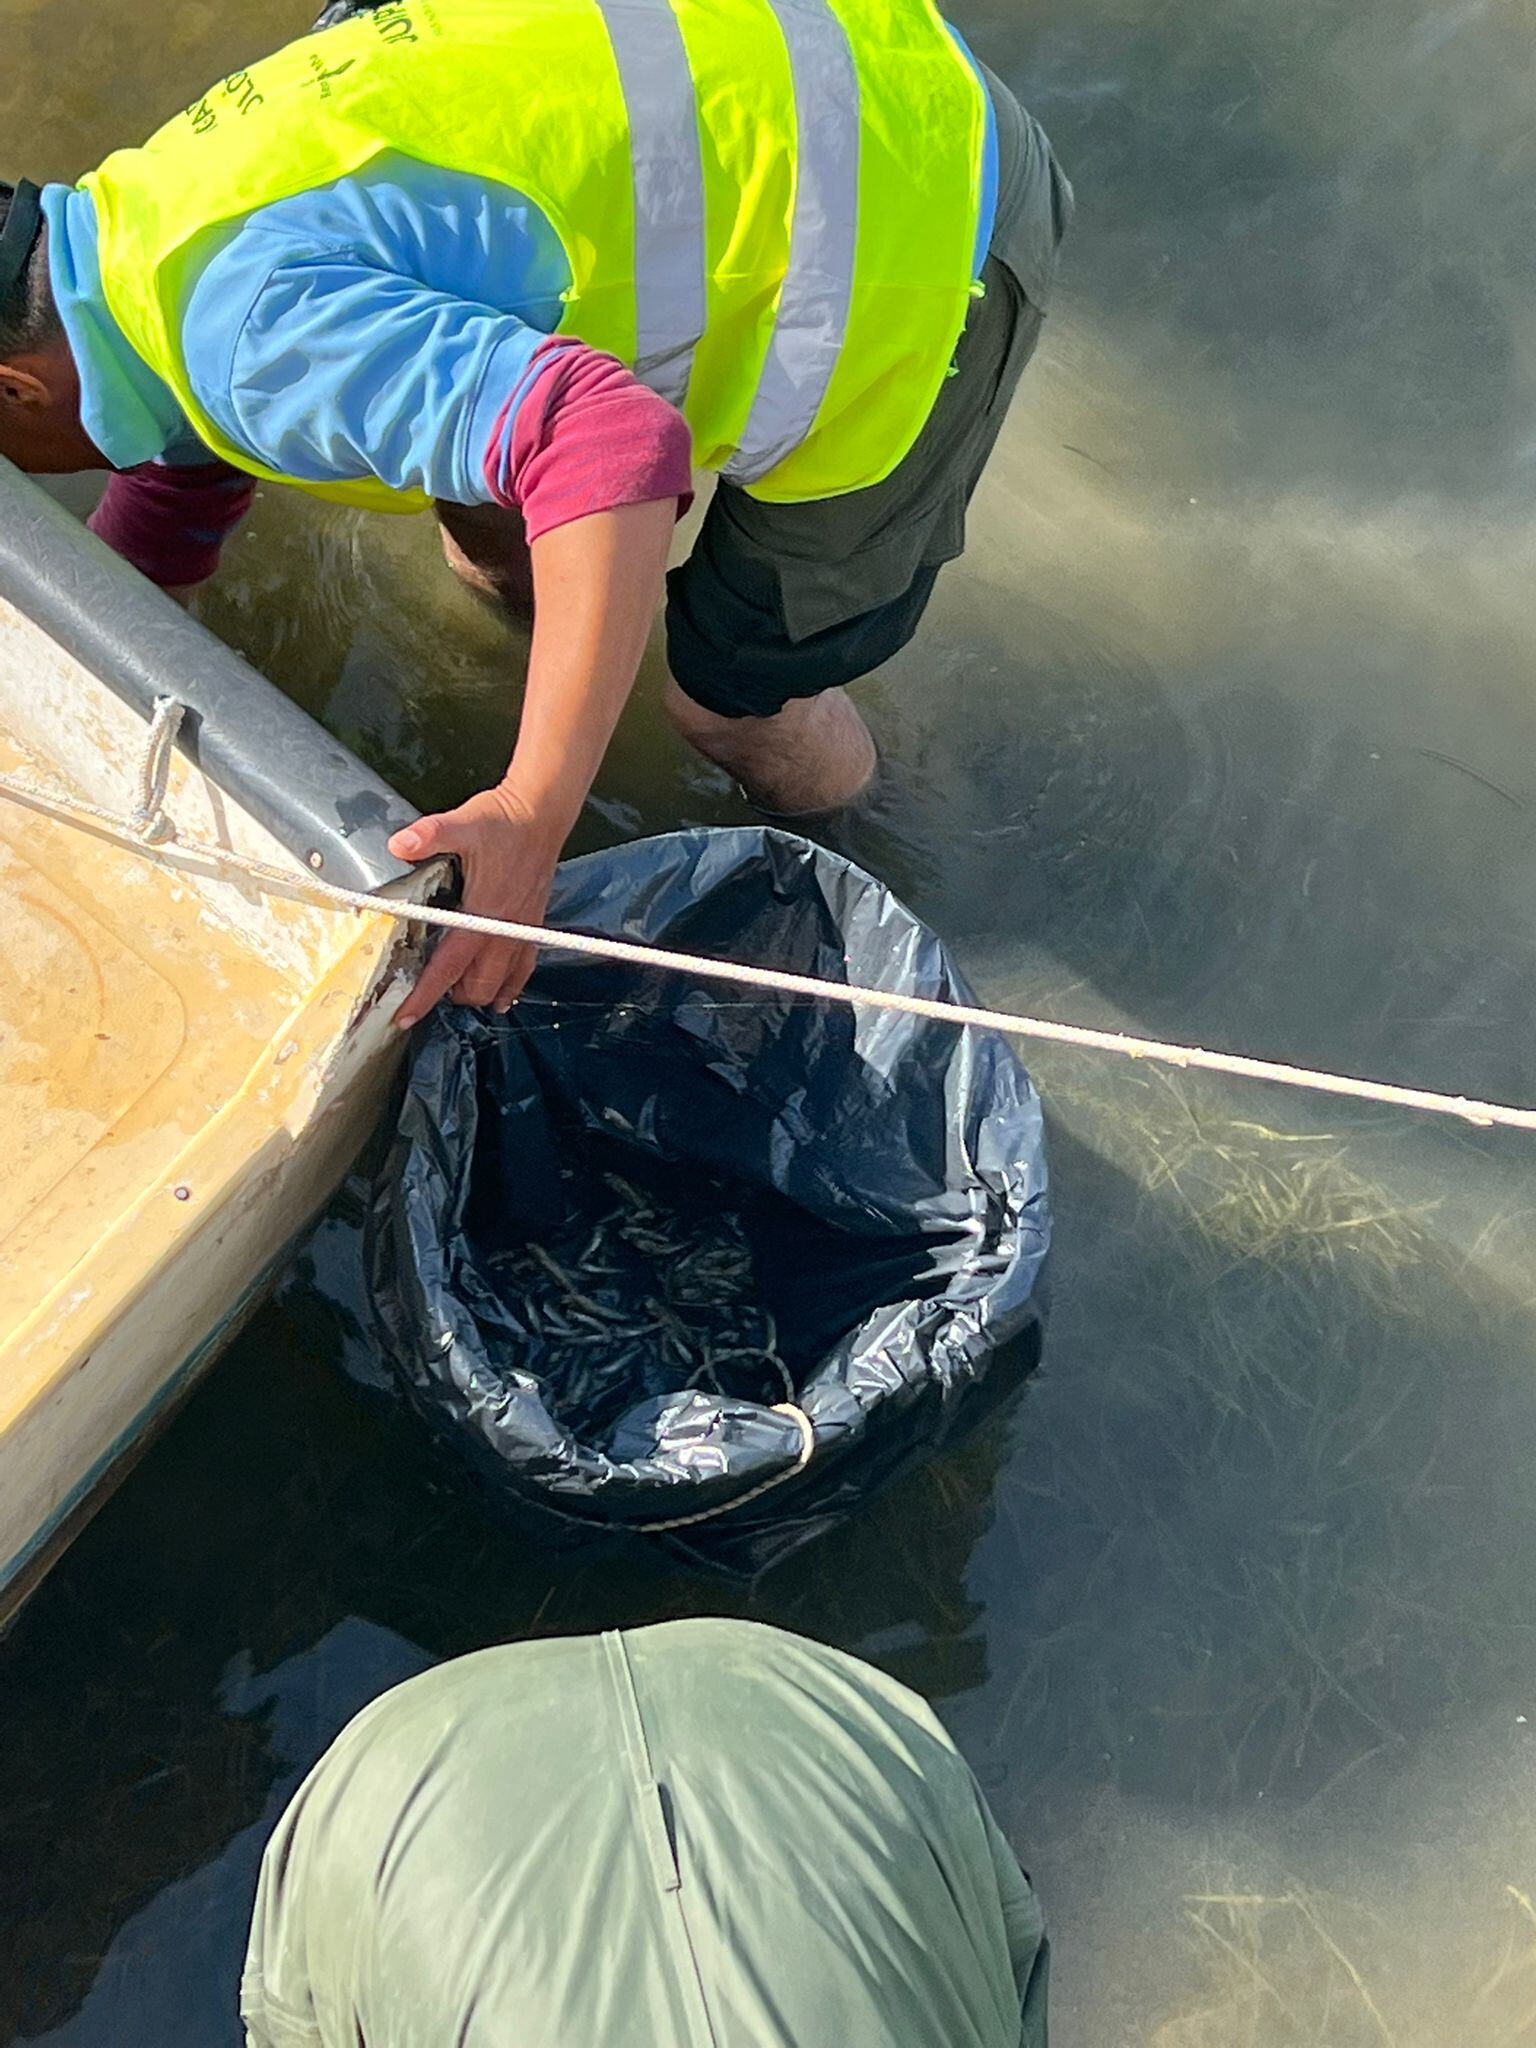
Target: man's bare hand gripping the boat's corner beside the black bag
[[509, 865]]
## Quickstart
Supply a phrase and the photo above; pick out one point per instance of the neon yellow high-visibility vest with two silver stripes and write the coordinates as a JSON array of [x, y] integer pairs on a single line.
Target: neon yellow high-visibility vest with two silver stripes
[[769, 208]]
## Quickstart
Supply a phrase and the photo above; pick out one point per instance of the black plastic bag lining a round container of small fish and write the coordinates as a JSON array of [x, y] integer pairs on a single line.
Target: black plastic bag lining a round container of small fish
[[712, 1265]]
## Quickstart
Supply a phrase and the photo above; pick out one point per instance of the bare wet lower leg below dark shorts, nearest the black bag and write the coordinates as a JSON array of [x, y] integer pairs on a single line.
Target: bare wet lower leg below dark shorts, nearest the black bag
[[816, 755]]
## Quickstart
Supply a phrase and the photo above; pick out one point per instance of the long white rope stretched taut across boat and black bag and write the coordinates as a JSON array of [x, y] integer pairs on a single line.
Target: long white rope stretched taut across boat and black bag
[[294, 882]]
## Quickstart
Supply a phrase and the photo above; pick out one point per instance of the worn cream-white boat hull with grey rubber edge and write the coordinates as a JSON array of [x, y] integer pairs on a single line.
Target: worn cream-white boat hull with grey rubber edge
[[189, 1062]]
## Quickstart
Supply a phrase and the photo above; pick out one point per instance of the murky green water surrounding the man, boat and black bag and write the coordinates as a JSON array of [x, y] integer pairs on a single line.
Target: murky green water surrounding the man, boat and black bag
[[1226, 730]]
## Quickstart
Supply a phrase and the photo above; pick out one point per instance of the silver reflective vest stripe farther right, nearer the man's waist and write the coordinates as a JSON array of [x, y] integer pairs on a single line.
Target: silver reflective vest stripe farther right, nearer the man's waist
[[824, 237]]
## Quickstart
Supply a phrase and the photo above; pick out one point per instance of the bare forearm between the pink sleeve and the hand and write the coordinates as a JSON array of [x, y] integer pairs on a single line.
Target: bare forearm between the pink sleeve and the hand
[[597, 589]]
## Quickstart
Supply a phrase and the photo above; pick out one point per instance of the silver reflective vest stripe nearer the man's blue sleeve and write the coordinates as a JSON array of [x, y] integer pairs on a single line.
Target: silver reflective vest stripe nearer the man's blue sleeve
[[671, 249]]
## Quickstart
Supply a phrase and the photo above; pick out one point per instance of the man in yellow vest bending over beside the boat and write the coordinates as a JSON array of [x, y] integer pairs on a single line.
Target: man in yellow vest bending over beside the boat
[[531, 263]]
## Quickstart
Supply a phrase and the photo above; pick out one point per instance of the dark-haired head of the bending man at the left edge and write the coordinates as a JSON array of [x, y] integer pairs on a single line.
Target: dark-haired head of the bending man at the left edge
[[40, 386]]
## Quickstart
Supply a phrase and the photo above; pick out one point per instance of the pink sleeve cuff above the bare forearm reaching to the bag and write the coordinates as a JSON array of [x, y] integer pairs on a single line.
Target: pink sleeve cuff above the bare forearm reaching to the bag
[[583, 435]]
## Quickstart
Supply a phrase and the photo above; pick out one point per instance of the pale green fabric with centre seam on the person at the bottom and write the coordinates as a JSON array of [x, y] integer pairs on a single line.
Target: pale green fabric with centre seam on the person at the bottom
[[697, 1836]]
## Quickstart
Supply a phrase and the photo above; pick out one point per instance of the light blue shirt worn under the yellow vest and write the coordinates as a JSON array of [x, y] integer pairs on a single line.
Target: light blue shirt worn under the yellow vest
[[370, 329]]
